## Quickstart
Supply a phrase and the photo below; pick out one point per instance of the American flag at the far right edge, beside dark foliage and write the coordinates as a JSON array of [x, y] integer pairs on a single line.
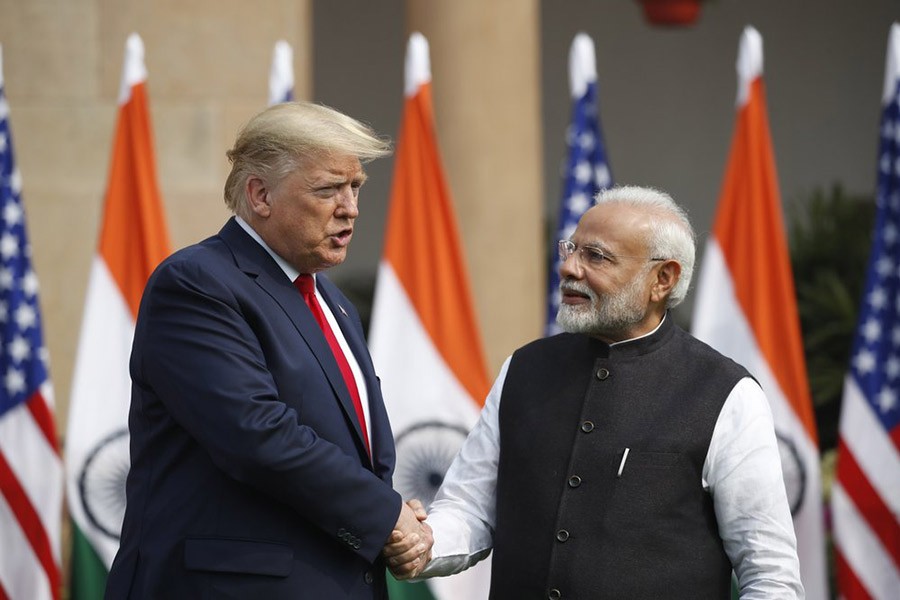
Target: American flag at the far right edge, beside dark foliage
[[866, 493]]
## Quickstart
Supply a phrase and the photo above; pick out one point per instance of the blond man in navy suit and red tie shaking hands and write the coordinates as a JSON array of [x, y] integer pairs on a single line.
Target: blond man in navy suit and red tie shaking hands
[[257, 471]]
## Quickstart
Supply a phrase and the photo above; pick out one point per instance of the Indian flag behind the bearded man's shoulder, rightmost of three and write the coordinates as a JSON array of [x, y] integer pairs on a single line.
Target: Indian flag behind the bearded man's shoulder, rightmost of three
[[747, 309]]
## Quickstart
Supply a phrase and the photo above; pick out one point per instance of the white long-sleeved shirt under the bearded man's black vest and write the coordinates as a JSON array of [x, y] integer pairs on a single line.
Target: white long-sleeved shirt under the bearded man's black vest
[[742, 472]]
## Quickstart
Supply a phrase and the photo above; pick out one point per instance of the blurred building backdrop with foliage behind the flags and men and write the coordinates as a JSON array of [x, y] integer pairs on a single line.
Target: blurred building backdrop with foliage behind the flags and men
[[502, 106]]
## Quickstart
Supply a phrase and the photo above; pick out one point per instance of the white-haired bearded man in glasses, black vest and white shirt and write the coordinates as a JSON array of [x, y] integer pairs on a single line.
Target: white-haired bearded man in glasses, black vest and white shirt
[[624, 458]]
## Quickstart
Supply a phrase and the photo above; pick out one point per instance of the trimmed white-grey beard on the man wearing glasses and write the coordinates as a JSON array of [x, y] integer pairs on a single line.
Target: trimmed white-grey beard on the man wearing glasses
[[606, 314]]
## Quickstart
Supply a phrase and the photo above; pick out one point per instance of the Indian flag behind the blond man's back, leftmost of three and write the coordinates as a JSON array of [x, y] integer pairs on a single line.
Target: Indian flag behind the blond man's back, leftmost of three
[[133, 240]]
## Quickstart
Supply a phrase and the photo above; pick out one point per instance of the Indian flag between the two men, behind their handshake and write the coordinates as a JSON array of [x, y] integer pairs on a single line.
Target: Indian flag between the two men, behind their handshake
[[424, 337]]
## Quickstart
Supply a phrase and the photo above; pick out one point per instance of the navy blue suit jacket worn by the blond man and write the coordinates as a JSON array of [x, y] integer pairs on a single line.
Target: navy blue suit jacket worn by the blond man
[[249, 475]]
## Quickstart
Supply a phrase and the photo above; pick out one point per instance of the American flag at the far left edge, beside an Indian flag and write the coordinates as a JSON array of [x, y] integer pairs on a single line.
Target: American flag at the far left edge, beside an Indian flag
[[30, 466]]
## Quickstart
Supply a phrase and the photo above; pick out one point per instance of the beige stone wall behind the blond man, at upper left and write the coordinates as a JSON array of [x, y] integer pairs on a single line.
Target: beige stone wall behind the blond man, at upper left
[[208, 66]]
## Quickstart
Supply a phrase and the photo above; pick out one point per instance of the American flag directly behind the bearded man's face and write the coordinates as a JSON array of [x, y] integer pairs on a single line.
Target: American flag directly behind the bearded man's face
[[587, 171]]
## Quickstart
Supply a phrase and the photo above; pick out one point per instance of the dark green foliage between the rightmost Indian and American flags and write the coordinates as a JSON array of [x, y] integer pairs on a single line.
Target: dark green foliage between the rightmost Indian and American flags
[[830, 239]]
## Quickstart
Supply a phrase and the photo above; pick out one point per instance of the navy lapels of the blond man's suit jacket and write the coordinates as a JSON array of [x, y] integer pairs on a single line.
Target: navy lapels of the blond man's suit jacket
[[256, 262]]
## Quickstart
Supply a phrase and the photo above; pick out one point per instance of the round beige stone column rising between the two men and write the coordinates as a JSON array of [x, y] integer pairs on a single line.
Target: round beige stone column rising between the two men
[[485, 63]]
